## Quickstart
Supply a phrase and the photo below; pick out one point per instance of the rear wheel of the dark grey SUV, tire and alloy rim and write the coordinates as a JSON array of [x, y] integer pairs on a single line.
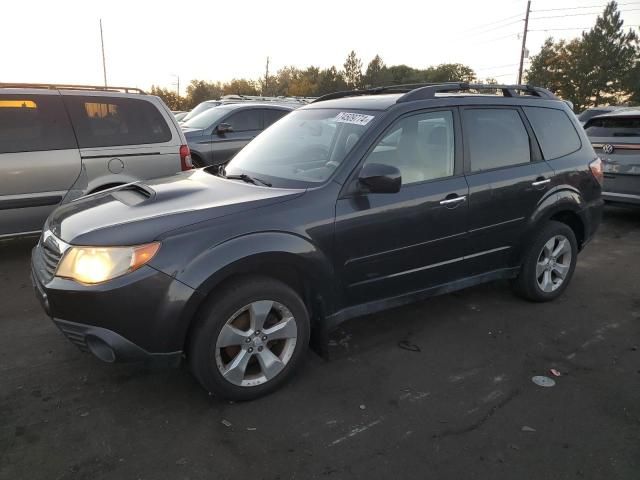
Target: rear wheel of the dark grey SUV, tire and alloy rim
[[548, 264]]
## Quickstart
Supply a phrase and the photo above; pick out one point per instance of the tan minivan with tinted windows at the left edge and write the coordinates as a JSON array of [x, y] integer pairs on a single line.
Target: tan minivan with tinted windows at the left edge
[[60, 142]]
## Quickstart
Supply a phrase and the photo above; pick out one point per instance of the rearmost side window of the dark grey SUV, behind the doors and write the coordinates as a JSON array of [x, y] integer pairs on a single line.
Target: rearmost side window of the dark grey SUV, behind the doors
[[554, 130]]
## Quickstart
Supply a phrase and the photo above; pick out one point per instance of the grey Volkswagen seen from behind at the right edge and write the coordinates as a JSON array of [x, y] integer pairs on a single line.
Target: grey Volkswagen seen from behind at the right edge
[[615, 137]]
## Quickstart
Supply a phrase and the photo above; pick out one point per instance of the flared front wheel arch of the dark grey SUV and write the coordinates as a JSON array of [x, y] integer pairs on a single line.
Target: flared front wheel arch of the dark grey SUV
[[250, 253]]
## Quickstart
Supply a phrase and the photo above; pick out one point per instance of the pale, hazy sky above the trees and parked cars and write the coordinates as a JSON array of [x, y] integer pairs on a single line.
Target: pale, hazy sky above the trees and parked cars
[[156, 42]]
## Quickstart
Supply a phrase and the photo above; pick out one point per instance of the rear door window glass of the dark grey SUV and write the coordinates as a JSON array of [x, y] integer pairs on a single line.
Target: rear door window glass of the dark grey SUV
[[495, 138]]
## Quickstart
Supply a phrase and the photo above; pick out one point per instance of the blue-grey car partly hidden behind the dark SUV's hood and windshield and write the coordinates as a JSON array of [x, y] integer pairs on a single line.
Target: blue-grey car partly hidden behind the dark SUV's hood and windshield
[[217, 134]]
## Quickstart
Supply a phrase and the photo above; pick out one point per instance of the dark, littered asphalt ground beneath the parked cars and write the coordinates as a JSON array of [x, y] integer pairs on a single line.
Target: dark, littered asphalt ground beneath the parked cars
[[437, 390]]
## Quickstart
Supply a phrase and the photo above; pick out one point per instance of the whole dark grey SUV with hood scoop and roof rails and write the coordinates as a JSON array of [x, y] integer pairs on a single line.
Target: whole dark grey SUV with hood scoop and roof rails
[[417, 193]]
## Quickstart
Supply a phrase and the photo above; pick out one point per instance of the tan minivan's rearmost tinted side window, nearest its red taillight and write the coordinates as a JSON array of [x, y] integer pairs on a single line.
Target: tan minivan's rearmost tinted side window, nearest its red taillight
[[107, 122]]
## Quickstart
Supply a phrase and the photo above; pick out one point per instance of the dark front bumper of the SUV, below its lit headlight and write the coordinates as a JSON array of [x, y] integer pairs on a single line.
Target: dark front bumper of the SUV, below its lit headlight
[[140, 316]]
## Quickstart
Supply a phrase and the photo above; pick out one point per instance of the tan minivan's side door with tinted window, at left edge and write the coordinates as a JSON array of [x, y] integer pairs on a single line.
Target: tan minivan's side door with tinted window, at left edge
[[39, 159]]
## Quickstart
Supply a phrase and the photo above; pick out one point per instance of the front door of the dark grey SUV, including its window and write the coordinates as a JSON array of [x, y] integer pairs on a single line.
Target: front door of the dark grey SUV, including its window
[[391, 244]]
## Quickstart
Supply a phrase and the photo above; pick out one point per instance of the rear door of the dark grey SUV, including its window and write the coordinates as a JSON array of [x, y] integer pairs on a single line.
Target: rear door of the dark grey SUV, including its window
[[507, 179]]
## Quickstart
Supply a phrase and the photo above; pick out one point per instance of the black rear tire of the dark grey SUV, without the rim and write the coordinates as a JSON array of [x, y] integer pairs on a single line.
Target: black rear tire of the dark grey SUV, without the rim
[[526, 285]]
